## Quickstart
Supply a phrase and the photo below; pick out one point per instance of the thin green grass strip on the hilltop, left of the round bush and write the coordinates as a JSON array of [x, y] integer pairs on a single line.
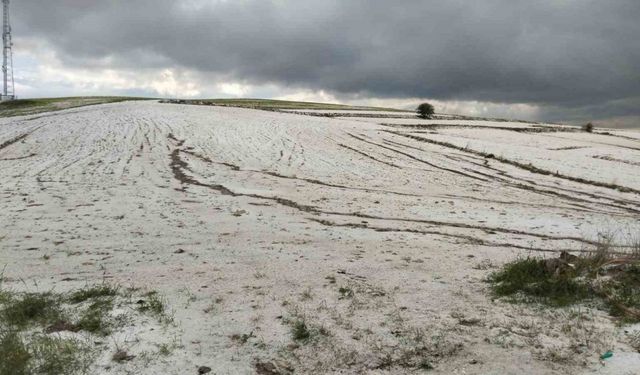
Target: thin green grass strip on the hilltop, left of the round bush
[[282, 104]]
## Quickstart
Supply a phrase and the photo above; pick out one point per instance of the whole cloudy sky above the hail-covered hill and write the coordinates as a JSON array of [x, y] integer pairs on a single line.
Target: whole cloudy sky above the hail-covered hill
[[547, 60]]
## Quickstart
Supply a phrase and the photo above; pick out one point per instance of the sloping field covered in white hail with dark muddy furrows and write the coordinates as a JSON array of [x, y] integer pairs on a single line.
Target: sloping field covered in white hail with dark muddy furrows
[[375, 229]]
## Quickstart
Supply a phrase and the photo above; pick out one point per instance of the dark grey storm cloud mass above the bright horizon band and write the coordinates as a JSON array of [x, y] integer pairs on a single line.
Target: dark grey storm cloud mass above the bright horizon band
[[567, 53]]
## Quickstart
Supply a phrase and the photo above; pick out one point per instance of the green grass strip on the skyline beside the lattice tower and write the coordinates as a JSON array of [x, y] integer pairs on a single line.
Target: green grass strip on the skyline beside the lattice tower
[[23, 107]]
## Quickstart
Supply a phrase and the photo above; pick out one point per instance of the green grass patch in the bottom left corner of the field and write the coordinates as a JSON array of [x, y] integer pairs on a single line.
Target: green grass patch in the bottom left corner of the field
[[29, 322]]
